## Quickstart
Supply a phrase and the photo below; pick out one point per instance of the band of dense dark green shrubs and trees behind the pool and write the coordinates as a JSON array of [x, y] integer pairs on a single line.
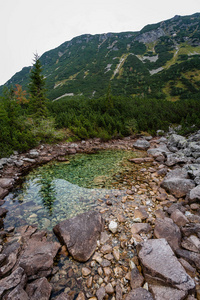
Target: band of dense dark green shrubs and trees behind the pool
[[28, 120]]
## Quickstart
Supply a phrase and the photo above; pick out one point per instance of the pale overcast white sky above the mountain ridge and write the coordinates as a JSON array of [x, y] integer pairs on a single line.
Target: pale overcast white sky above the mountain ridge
[[28, 26]]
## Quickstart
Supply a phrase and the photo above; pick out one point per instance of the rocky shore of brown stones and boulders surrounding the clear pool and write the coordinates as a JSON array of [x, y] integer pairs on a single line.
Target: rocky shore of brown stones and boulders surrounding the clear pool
[[145, 246]]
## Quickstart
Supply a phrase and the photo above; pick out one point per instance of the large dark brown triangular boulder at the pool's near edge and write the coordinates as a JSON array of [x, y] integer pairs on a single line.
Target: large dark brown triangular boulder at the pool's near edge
[[80, 234]]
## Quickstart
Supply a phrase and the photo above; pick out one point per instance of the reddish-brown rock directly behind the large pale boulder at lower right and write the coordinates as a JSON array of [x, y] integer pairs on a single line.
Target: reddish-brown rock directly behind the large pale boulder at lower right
[[166, 228]]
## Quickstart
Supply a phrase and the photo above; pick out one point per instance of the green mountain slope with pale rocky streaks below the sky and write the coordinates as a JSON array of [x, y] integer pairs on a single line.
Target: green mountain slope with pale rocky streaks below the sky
[[162, 60]]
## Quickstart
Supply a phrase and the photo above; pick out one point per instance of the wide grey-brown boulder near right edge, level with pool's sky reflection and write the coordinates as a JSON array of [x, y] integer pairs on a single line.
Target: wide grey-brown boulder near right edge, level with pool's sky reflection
[[177, 186]]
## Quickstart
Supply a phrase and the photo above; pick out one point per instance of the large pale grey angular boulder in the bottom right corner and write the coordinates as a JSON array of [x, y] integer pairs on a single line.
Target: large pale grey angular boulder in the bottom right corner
[[160, 265]]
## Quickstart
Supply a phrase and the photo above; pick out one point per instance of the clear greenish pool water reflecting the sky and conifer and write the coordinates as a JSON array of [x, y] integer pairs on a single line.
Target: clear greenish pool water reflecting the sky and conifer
[[60, 190]]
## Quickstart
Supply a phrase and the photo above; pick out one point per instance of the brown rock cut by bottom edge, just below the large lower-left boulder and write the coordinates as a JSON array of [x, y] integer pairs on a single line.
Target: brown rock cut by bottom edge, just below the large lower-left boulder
[[39, 289]]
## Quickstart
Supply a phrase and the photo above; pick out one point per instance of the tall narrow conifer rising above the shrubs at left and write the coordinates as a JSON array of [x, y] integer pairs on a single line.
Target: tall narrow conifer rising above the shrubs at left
[[38, 100]]
